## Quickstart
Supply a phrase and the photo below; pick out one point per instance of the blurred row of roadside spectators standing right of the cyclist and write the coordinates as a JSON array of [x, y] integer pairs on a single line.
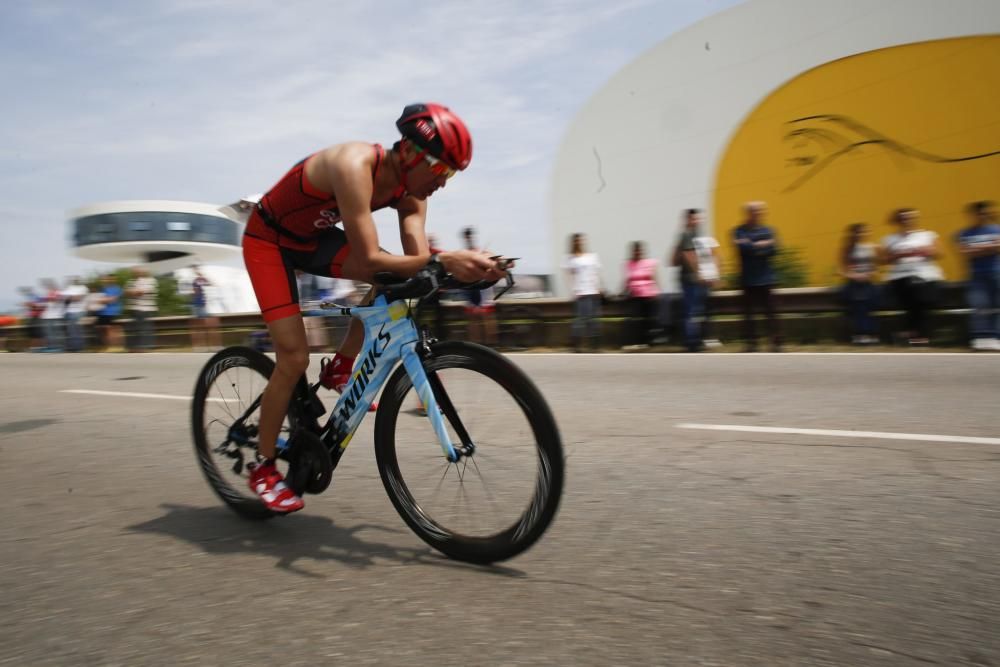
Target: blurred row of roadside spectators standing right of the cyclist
[[907, 258]]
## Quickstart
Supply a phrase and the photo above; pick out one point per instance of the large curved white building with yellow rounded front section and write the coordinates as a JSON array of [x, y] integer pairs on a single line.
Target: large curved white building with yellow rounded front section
[[831, 112]]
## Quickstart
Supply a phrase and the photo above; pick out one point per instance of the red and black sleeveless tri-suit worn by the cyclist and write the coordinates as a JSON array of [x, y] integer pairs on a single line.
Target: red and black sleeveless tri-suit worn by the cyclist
[[294, 227]]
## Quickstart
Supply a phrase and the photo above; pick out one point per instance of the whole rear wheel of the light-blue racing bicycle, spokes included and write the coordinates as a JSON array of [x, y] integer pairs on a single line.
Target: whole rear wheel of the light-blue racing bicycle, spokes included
[[225, 418]]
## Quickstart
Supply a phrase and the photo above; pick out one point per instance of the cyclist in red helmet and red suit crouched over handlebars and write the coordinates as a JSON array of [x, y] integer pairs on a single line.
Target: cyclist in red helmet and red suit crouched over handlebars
[[295, 226]]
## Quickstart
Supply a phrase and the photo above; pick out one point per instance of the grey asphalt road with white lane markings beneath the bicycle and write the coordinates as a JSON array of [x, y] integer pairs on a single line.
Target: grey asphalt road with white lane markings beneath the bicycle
[[673, 546]]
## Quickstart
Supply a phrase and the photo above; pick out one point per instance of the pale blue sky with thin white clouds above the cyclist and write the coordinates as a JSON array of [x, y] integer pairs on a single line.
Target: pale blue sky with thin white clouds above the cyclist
[[209, 100]]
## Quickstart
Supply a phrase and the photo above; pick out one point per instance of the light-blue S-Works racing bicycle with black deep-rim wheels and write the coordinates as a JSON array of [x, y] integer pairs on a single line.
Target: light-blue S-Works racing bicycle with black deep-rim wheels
[[466, 445]]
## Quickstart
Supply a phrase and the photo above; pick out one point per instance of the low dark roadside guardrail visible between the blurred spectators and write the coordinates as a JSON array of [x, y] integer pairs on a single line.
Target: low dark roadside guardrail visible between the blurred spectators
[[809, 316]]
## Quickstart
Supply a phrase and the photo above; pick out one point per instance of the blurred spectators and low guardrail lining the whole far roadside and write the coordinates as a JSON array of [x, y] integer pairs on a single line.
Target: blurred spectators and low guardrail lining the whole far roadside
[[914, 306]]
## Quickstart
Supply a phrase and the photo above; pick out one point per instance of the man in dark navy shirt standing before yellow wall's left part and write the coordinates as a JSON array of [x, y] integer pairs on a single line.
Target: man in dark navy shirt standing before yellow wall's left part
[[756, 244]]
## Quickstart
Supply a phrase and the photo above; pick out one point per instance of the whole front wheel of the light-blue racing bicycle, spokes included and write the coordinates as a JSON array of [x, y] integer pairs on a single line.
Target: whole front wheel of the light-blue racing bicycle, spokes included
[[494, 503]]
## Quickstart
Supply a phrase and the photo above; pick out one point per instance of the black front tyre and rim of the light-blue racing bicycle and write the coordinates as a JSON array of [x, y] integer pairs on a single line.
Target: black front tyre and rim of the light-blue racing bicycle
[[539, 512]]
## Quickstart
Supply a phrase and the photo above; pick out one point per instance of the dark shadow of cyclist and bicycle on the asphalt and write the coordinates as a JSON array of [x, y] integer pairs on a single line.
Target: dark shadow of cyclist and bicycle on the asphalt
[[216, 530]]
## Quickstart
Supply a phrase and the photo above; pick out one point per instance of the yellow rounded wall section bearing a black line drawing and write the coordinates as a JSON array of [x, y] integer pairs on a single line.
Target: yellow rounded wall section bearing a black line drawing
[[913, 125]]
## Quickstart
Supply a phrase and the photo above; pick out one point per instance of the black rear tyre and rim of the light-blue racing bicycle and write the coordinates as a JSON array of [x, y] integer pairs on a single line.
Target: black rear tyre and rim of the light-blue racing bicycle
[[240, 502]]
